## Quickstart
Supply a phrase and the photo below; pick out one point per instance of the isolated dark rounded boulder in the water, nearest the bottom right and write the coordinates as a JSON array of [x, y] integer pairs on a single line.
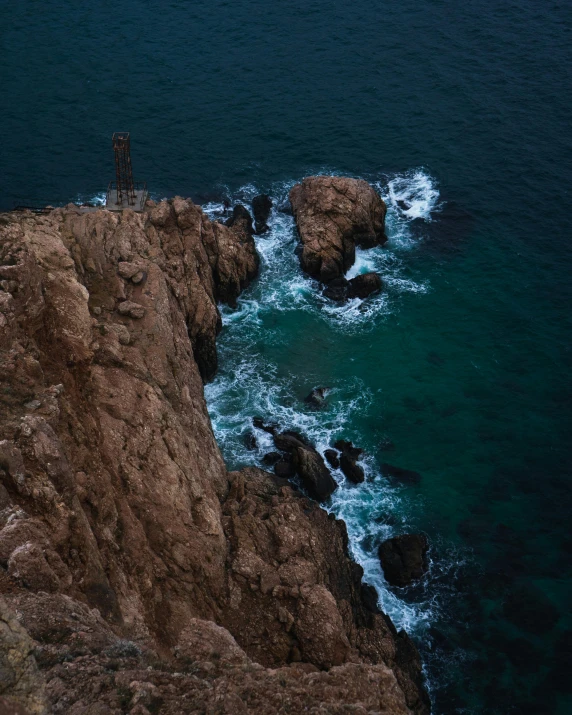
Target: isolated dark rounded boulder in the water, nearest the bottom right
[[403, 558]]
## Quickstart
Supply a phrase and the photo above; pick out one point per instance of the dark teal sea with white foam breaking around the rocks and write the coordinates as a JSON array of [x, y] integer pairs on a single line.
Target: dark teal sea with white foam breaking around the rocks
[[460, 368]]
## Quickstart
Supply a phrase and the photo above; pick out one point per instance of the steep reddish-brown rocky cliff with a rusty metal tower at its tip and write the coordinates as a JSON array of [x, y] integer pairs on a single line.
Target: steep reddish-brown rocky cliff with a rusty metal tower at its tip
[[149, 578]]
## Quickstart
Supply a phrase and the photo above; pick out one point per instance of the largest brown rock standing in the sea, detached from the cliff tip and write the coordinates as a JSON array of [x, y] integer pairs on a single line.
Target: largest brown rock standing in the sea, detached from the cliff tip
[[333, 215]]
